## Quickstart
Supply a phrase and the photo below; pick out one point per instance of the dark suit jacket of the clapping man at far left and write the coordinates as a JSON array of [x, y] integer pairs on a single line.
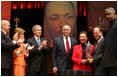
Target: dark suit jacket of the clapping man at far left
[[7, 48]]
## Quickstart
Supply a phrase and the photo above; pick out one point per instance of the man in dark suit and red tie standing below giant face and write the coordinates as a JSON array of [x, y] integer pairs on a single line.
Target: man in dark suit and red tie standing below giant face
[[62, 50]]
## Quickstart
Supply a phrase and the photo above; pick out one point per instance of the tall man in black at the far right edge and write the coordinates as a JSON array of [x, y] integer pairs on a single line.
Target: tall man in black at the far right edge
[[109, 61]]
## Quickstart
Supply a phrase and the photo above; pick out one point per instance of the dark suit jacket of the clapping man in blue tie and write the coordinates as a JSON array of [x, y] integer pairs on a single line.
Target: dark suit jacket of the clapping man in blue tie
[[37, 59]]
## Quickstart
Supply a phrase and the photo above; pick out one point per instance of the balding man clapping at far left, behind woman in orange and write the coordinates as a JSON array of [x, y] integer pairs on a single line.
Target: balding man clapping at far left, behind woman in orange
[[7, 47]]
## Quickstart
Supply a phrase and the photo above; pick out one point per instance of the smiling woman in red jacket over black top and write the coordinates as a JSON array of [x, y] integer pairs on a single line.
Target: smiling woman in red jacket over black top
[[80, 52]]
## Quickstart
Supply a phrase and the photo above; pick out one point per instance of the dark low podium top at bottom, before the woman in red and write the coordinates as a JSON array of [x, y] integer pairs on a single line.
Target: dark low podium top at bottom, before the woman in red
[[73, 73]]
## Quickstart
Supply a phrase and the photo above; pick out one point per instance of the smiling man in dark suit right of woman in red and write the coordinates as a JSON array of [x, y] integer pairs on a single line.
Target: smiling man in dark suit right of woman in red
[[97, 56]]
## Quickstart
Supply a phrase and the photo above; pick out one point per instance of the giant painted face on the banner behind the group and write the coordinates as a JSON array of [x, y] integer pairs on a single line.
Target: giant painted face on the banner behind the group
[[58, 14]]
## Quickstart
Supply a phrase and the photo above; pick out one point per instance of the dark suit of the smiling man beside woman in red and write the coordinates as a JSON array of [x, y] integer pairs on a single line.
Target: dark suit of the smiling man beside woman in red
[[97, 58]]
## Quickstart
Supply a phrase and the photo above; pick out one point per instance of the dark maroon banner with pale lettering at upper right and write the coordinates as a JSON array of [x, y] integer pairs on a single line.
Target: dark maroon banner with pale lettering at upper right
[[96, 15]]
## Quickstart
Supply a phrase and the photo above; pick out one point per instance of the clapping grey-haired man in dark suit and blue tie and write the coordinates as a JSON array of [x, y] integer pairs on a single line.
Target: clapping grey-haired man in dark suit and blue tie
[[37, 56]]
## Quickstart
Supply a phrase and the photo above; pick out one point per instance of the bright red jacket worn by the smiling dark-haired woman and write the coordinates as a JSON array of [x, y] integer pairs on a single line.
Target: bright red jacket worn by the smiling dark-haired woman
[[77, 58]]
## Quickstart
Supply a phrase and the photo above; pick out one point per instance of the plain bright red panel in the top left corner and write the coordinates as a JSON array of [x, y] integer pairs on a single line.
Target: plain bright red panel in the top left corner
[[5, 10]]
